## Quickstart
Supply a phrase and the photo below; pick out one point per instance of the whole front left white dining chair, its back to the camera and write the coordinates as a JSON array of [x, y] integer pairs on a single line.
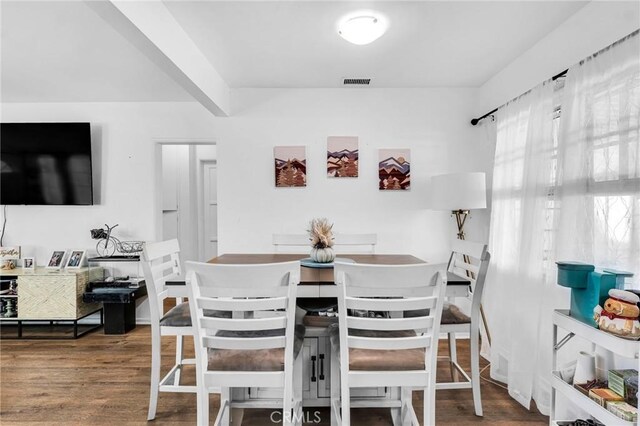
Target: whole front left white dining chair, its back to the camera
[[260, 346]]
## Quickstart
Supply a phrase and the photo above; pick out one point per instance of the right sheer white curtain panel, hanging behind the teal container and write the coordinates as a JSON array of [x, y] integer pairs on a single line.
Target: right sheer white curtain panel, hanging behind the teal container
[[599, 160]]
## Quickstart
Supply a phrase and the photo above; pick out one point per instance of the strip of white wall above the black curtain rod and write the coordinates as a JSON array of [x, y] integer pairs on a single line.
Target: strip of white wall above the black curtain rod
[[592, 28]]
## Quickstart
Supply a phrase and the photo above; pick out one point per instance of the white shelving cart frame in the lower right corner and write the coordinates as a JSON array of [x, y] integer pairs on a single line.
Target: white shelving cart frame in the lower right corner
[[619, 346]]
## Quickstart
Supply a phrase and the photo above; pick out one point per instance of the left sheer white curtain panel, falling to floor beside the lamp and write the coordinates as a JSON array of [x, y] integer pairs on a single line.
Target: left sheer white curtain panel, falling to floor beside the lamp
[[516, 292]]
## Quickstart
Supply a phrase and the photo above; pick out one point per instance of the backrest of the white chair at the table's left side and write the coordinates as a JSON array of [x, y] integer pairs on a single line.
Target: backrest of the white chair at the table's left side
[[160, 263]]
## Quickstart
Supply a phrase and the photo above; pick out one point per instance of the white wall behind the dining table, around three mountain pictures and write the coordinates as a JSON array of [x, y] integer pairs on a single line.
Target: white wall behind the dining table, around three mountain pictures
[[433, 123]]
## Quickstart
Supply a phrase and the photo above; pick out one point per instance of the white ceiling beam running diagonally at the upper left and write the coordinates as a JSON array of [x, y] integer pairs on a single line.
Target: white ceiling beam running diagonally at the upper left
[[150, 27]]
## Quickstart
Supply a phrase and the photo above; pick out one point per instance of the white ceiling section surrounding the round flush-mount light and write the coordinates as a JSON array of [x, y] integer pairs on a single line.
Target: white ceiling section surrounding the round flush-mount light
[[428, 43]]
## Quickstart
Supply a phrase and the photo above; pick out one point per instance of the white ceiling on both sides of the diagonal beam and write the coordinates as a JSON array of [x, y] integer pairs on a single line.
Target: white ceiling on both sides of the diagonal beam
[[63, 51]]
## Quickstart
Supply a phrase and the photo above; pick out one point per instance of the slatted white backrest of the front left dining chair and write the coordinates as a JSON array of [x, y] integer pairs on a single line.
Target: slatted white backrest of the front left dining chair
[[261, 297]]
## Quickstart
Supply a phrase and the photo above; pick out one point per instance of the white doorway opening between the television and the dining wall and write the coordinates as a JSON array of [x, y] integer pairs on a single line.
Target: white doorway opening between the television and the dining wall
[[187, 197]]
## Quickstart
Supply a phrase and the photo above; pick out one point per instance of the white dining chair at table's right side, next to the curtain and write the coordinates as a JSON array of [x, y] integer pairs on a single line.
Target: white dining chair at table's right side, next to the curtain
[[470, 261]]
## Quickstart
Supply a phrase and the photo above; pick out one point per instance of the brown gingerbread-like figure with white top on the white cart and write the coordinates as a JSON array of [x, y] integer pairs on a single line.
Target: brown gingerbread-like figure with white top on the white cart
[[620, 314]]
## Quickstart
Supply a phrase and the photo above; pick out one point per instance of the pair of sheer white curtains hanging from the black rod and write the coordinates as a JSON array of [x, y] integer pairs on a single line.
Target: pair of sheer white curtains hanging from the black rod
[[564, 188]]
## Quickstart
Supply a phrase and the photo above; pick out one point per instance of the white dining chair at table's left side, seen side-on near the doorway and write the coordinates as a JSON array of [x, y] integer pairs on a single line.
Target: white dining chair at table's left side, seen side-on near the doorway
[[161, 263]]
